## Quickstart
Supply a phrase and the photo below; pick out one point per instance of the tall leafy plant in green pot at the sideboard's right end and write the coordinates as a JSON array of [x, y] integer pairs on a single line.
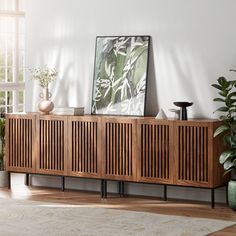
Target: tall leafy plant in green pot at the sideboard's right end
[[227, 92]]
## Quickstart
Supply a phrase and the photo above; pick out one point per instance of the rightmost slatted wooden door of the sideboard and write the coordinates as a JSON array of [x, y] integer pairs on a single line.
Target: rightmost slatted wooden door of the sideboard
[[194, 153]]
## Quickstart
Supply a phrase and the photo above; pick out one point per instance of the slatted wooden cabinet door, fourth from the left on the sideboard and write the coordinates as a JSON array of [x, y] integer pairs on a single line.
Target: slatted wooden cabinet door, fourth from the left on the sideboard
[[119, 148]]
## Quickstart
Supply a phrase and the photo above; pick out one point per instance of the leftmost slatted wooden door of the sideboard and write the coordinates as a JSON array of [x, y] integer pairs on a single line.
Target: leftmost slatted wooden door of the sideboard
[[20, 143]]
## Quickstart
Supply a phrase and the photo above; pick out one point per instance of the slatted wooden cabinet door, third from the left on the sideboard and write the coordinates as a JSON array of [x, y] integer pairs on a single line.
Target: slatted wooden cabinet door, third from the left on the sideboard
[[84, 137]]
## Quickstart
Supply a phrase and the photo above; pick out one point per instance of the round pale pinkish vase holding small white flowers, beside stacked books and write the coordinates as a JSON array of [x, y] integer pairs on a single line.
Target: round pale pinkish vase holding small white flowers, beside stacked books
[[45, 106]]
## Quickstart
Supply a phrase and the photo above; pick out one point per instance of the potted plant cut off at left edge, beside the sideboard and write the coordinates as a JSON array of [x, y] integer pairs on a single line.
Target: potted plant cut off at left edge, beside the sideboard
[[3, 172]]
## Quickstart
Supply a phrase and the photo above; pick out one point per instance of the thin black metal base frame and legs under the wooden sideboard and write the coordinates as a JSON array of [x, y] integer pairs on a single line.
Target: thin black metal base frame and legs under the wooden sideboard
[[121, 187]]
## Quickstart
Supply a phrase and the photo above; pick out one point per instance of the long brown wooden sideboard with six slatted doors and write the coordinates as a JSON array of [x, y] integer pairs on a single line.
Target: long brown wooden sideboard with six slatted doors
[[133, 149]]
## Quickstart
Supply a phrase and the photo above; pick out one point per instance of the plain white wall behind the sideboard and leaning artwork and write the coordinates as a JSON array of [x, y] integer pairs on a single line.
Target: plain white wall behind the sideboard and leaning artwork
[[193, 44]]
